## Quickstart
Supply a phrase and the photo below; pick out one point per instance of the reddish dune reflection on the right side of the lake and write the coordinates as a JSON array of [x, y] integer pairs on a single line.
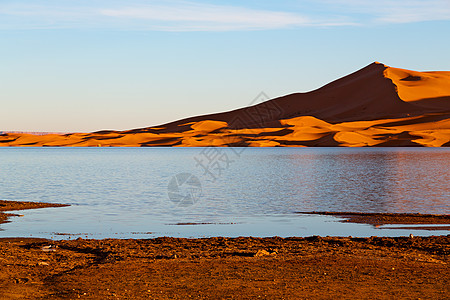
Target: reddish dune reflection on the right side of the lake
[[370, 180]]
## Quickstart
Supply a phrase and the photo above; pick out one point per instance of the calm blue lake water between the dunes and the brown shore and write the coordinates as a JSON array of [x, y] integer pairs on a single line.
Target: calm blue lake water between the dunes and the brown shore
[[138, 192]]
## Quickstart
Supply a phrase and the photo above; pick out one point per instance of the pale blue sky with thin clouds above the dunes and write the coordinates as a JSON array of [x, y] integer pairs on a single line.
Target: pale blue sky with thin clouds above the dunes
[[88, 65]]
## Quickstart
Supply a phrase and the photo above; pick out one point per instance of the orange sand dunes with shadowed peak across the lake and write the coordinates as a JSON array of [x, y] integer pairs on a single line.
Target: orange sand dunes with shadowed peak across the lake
[[375, 106]]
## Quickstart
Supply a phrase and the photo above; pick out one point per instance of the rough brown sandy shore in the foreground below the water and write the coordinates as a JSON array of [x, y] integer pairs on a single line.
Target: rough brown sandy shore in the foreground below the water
[[225, 268]]
